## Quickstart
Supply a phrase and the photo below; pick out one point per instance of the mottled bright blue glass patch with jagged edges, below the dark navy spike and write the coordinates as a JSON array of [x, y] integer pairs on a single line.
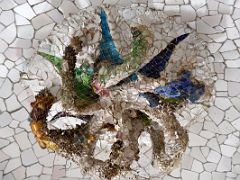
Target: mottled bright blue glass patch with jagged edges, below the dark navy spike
[[182, 88]]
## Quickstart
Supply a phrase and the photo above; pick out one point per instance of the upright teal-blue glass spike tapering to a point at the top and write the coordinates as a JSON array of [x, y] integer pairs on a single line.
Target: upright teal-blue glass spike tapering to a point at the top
[[108, 50]]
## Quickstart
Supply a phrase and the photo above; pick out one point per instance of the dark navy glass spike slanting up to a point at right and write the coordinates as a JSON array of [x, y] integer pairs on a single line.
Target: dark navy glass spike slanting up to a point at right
[[158, 63]]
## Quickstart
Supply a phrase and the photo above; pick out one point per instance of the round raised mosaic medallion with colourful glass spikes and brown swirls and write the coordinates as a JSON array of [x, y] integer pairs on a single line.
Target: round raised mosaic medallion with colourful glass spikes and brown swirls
[[114, 88]]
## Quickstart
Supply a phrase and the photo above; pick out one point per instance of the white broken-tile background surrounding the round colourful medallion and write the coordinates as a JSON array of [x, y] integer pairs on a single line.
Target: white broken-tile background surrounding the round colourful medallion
[[24, 22]]
